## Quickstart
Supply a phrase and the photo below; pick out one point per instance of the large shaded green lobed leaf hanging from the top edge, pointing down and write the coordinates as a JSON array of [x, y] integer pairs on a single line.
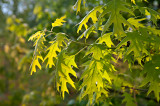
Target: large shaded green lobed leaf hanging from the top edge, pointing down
[[115, 7]]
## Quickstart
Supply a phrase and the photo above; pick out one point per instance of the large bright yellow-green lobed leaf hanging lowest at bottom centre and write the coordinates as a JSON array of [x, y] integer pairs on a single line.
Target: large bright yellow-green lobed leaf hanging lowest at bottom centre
[[93, 80]]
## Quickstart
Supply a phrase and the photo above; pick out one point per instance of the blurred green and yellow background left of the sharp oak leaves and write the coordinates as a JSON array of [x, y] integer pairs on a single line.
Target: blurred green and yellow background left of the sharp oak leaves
[[19, 19]]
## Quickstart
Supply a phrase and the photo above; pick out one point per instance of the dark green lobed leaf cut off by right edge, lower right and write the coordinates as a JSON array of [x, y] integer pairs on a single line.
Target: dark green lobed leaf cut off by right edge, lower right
[[152, 72]]
